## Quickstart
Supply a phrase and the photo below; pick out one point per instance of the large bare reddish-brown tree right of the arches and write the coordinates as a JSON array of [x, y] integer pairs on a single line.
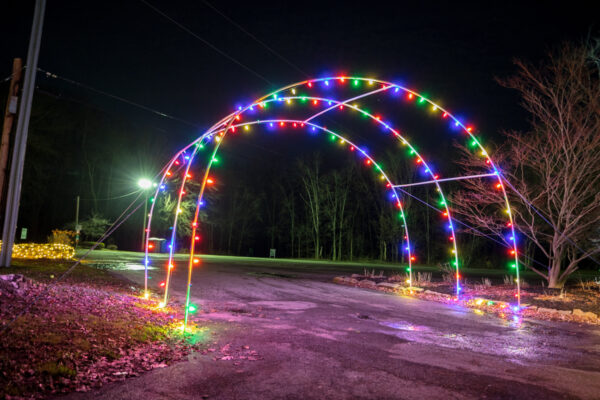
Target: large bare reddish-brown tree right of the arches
[[555, 167]]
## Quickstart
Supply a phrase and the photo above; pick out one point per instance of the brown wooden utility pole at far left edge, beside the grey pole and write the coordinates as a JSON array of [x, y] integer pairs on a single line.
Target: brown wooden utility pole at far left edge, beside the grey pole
[[9, 116]]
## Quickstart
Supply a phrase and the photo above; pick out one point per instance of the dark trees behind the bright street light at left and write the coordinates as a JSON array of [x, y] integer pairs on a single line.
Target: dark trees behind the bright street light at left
[[77, 149]]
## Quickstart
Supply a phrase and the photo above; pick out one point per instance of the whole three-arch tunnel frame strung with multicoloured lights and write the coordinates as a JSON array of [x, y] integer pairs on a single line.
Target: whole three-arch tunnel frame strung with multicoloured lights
[[290, 94]]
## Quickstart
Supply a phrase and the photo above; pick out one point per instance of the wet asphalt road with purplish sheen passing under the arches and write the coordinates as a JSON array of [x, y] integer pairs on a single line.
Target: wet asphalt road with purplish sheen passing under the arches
[[308, 338]]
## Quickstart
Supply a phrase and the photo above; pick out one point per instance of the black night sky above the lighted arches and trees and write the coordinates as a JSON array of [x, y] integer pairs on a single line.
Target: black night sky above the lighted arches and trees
[[450, 51]]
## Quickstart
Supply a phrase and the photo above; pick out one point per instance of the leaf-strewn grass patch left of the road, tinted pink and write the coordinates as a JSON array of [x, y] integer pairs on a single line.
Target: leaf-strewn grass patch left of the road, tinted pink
[[77, 336]]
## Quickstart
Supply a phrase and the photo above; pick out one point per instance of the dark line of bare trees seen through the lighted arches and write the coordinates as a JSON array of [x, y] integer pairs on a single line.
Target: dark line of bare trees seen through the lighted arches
[[313, 210]]
